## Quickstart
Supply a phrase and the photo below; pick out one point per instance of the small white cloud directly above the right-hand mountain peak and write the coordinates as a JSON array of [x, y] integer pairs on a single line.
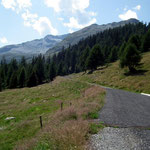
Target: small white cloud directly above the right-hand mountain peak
[[128, 15]]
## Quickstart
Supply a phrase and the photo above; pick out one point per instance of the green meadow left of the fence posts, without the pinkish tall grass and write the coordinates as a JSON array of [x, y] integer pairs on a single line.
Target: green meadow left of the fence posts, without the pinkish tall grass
[[27, 104]]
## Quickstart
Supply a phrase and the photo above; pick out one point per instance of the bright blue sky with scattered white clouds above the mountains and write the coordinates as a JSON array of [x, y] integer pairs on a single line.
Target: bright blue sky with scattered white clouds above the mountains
[[24, 20]]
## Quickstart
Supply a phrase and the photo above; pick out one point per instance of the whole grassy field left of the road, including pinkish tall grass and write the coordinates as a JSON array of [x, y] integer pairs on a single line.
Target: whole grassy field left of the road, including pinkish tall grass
[[62, 130]]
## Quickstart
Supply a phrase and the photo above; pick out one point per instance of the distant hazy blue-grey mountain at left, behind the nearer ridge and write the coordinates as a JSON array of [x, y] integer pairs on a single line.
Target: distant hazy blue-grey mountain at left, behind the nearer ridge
[[30, 48]]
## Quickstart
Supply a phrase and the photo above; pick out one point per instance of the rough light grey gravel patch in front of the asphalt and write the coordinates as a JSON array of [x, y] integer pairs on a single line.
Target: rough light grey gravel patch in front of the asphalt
[[121, 139]]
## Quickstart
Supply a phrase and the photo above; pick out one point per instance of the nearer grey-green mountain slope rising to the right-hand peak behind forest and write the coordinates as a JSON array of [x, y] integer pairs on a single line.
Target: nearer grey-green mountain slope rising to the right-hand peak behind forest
[[75, 37]]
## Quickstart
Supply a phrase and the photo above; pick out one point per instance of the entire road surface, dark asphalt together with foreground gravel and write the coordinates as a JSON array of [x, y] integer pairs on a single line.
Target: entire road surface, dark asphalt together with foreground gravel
[[131, 113]]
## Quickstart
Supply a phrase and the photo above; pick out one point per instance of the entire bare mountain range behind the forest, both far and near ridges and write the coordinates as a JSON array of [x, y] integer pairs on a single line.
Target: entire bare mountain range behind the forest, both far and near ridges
[[52, 44]]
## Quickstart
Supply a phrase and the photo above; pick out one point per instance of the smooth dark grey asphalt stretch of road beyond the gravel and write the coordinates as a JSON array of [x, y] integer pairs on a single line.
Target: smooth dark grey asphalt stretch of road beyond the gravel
[[126, 109]]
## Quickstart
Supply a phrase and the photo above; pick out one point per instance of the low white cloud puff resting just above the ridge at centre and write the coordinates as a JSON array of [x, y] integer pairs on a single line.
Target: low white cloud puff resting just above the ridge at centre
[[74, 24]]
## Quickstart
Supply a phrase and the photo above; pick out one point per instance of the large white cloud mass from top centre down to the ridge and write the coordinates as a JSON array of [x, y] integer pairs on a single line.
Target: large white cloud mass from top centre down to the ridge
[[75, 10]]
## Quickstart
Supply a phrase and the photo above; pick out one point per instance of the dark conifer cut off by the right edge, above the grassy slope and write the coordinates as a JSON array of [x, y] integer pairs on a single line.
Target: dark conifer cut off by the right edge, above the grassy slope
[[146, 42]]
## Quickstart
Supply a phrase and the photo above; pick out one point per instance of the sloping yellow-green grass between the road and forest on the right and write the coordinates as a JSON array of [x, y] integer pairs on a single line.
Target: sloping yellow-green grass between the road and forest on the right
[[115, 77]]
